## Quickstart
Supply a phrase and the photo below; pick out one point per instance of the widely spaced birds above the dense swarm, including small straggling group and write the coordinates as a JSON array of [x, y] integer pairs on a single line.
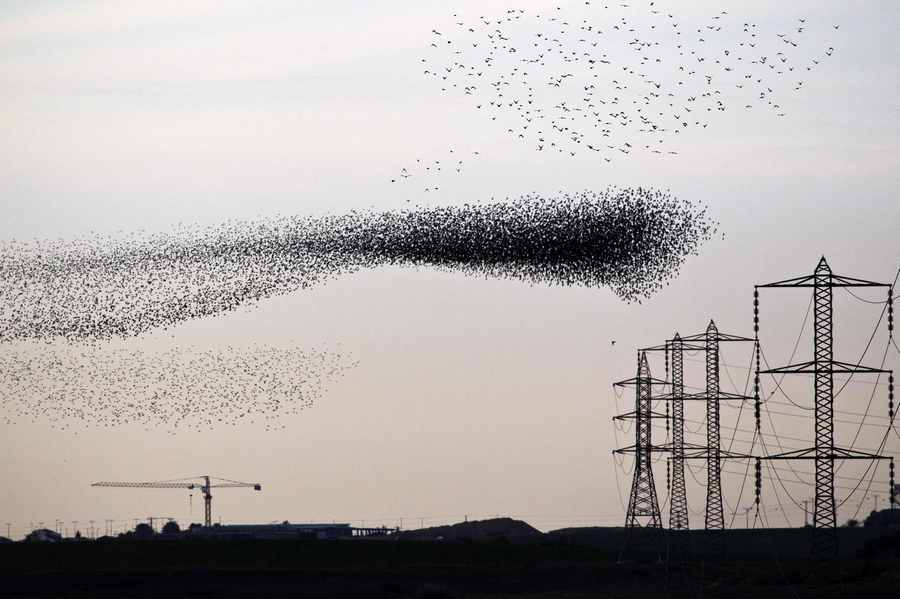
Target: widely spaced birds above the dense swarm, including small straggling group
[[614, 79]]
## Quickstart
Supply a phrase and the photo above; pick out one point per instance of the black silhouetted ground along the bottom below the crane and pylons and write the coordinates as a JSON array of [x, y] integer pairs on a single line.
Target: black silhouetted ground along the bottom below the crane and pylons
[[545, 568]]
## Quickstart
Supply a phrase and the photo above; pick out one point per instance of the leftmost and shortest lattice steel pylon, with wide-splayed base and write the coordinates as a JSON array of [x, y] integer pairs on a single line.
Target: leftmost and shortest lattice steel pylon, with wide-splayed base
[[643, 505]]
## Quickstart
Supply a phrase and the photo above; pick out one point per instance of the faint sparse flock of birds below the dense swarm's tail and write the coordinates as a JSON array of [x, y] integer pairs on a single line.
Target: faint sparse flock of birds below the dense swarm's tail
[[182, 389]]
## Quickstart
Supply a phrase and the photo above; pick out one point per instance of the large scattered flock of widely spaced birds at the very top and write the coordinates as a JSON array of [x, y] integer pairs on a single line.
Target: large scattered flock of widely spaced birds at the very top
[[571, 57]]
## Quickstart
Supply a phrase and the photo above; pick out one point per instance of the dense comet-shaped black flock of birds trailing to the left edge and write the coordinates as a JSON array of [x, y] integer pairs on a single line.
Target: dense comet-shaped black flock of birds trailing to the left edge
[[630, 240]]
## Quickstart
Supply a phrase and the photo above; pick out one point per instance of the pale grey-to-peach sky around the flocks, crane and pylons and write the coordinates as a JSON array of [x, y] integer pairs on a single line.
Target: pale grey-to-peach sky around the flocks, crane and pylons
[[472, 397]]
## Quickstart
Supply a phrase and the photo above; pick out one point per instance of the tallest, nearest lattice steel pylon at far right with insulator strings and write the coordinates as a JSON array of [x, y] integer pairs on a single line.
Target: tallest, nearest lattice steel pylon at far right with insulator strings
[[823, 367]]
